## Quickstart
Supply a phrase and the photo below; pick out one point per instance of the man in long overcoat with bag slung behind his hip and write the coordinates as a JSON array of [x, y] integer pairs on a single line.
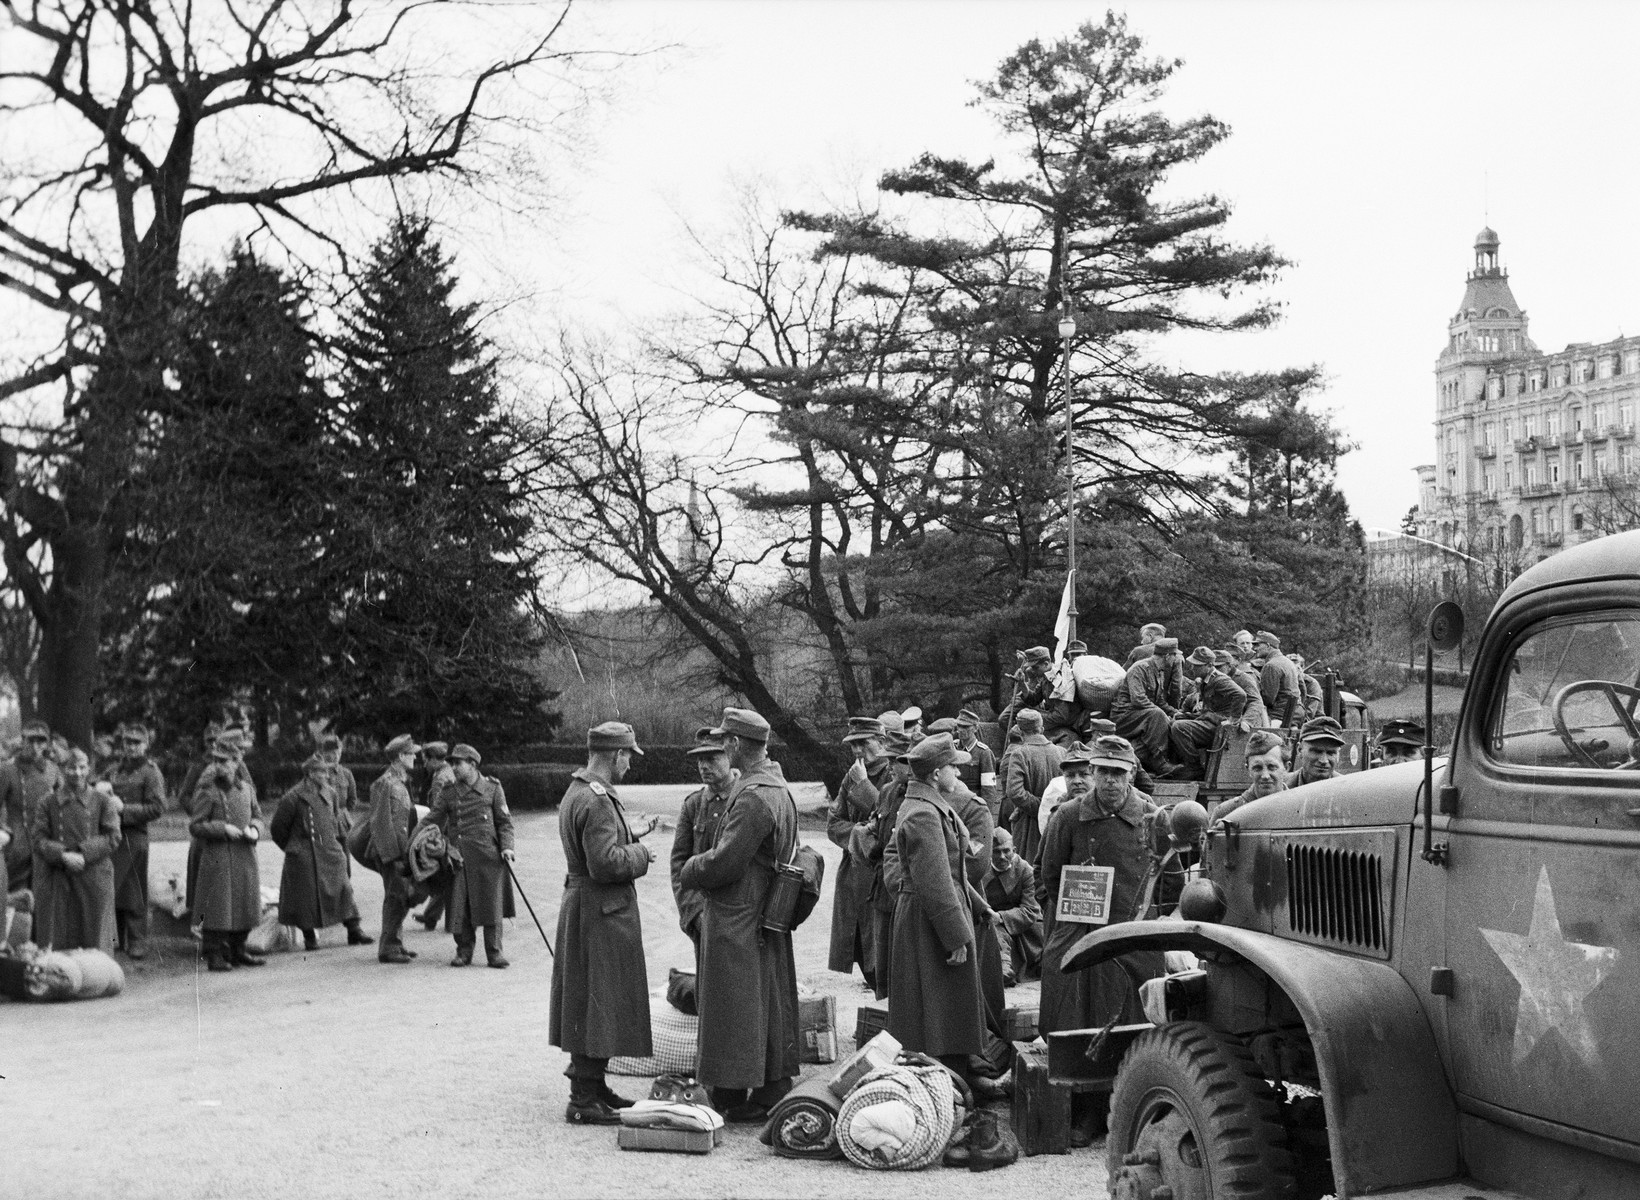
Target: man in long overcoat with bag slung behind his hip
[[747, 989]]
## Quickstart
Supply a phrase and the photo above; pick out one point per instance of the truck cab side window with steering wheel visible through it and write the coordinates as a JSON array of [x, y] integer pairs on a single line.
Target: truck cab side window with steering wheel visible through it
[[1572, 694]]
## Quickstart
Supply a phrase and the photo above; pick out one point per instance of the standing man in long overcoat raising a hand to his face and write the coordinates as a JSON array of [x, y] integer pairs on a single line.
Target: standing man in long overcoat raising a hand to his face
[[852, 825]]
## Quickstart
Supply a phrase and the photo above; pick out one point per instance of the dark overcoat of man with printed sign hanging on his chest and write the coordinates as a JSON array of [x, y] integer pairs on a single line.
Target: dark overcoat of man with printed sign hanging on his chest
[[1083, 835]]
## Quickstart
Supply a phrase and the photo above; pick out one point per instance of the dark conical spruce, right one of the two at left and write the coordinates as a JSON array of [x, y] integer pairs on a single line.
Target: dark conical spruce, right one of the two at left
[[435, 634]]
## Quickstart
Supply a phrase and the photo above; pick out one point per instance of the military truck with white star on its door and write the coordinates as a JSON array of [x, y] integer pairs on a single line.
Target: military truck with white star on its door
[[1400, 984]]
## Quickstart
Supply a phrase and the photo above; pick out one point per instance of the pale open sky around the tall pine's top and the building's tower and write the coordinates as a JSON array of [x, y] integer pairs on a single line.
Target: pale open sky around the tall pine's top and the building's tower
[[1369, 145]]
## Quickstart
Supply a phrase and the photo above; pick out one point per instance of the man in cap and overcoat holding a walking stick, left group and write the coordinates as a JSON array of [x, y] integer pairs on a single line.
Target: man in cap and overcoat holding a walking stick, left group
[[478, 829]]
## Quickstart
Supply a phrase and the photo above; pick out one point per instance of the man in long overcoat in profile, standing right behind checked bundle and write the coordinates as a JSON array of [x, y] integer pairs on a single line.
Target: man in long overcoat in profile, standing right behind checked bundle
[[936, 1004]]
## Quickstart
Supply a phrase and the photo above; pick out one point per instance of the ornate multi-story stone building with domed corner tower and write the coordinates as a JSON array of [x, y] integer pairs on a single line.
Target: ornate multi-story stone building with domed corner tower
[[1533, 452]]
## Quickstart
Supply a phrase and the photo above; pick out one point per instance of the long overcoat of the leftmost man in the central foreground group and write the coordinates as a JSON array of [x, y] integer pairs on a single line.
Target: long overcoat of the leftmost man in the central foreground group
[[601, 991]]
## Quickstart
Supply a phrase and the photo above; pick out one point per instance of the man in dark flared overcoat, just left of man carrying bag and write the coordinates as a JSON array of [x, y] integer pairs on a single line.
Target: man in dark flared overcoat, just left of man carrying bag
[[316, 888]]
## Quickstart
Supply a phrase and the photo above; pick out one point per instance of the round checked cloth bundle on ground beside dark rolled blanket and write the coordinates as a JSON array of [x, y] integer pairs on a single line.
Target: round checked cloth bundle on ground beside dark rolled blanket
[[873, 1127]]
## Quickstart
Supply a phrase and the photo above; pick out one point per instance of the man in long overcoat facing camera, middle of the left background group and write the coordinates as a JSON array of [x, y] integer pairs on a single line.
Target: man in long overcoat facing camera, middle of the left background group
[[227, 896]]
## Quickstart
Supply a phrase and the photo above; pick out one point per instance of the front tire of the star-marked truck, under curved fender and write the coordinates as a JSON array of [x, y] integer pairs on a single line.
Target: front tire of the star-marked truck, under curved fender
[[1191, 1112]]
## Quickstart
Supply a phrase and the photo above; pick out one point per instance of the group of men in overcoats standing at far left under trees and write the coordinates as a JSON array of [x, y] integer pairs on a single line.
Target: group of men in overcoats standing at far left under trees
[[78, 837]]
